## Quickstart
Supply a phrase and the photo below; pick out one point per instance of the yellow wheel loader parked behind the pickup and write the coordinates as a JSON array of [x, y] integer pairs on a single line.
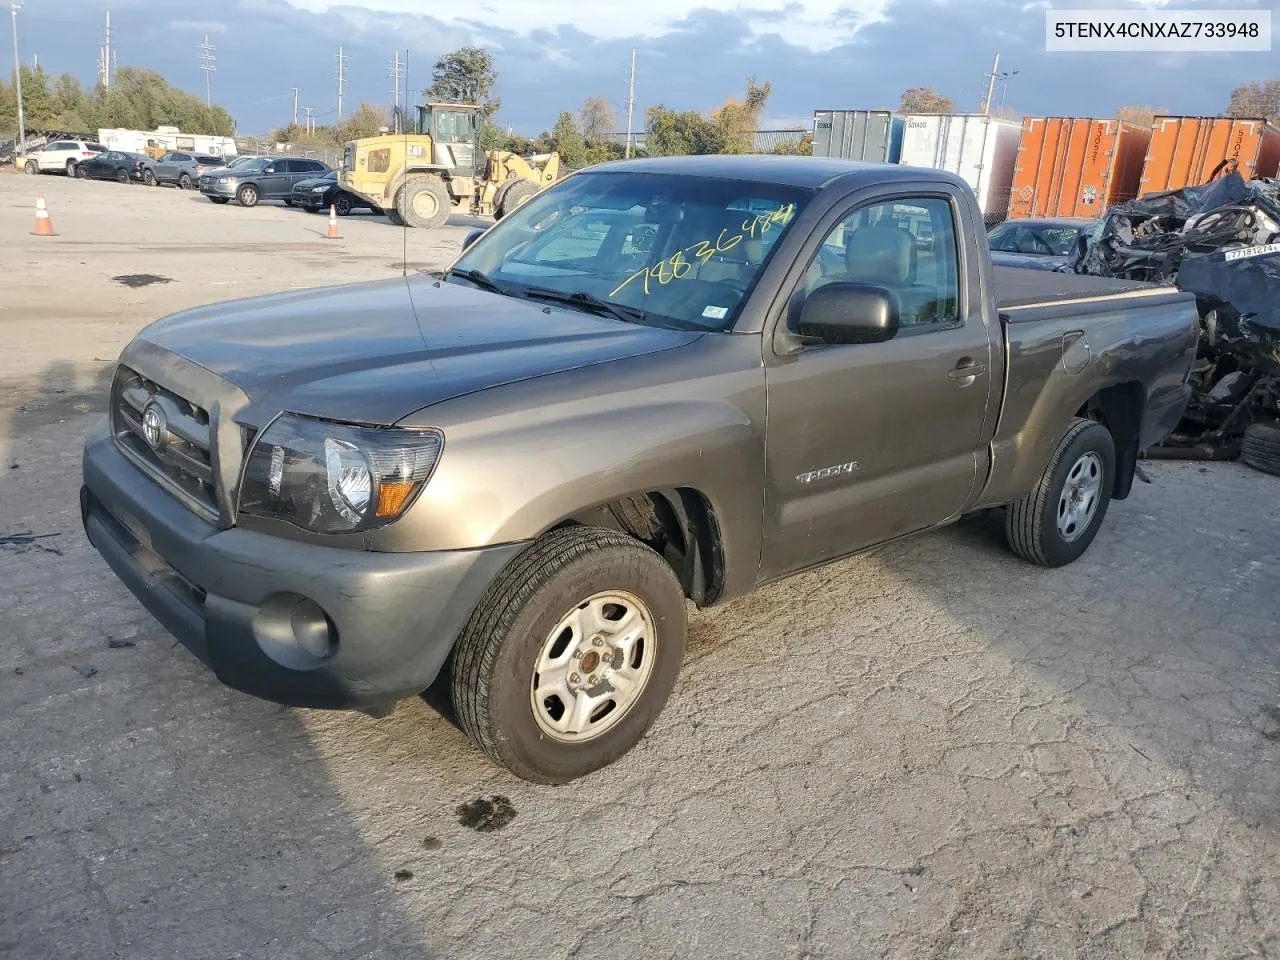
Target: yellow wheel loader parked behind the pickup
[[438, 168]]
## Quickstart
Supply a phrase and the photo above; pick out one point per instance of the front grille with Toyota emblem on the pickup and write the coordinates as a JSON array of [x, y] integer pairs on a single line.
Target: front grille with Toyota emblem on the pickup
[[168, 437]]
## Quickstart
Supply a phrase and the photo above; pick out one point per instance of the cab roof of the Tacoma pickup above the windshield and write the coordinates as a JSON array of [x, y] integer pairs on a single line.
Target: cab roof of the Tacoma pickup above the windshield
[[806, 172]]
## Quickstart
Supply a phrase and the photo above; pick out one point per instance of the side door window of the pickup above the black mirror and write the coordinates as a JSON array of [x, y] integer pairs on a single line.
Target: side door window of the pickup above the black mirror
[[907, 245]]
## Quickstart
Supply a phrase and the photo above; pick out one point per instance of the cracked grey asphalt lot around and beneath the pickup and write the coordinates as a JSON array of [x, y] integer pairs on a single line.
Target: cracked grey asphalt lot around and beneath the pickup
[[932, 751]]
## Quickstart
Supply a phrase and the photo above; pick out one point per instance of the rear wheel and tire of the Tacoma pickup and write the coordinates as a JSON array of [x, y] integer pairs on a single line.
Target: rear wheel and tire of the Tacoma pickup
[[1057, 523]]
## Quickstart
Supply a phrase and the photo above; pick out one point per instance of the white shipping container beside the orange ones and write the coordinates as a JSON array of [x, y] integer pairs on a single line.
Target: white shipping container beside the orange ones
[[981, 150]]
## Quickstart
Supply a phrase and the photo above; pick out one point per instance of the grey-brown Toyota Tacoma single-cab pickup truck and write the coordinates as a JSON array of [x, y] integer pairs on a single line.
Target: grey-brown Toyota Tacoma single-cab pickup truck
[[659, 382]]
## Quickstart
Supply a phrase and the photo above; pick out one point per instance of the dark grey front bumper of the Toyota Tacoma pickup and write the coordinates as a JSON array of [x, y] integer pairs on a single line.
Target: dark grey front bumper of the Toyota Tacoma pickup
[[230, 596]]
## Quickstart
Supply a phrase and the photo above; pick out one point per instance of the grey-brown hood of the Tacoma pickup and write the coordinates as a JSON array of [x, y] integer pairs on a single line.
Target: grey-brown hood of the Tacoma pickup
[[376, 353]]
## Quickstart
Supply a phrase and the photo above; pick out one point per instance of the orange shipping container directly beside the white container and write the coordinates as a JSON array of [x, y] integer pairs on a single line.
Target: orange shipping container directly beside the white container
[[1077, 166]]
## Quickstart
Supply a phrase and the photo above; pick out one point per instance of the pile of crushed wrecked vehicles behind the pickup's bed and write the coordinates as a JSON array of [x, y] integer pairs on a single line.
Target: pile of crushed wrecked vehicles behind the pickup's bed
[[1222, 243]]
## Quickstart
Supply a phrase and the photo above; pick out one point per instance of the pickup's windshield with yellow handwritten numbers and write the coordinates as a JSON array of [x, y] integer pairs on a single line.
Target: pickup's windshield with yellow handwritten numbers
[[684, 250]]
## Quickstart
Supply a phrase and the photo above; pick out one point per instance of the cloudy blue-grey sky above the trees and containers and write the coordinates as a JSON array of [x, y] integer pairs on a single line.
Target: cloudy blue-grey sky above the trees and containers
[[691, 54]]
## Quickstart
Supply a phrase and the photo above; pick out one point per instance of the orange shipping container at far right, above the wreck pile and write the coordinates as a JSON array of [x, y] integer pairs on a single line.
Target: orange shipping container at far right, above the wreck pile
[[1187, 152]]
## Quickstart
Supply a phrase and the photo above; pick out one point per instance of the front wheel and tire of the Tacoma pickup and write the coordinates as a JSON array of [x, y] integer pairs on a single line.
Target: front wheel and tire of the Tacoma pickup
[[522, 620]]
